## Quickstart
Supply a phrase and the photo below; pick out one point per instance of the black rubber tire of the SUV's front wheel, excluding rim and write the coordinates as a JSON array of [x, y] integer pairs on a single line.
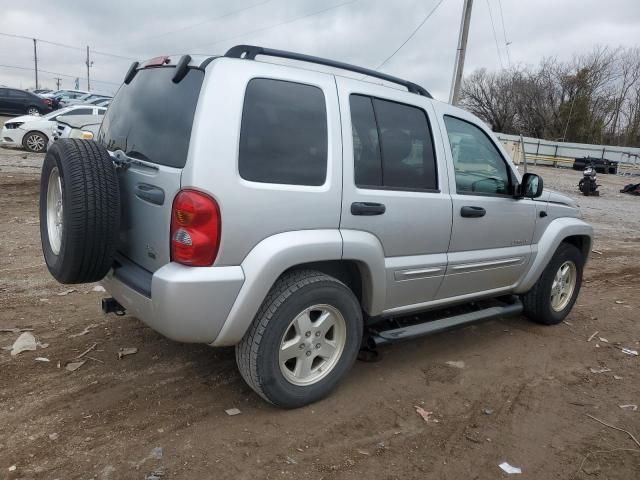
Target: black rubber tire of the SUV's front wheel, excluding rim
[[537, 301]]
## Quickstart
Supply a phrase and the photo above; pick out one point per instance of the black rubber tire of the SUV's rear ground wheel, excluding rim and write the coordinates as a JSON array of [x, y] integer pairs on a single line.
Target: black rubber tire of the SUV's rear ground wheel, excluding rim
[[257, 353]]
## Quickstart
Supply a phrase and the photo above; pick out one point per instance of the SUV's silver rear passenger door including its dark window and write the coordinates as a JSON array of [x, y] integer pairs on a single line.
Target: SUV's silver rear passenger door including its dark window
[[393, 188]]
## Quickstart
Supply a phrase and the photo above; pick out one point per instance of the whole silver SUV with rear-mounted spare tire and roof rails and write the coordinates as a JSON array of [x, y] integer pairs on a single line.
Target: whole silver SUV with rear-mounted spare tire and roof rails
[[302, 215]]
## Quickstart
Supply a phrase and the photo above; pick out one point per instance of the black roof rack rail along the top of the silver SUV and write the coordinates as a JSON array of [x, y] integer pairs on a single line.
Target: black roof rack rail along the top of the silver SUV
[[250, 52]]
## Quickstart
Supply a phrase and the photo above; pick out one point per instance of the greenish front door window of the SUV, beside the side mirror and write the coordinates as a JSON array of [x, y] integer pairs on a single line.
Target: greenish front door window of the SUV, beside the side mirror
[[478, 164]]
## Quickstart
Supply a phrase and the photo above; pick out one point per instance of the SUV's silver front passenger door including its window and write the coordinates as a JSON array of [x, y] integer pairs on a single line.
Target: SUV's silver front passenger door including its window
[[492, 230]]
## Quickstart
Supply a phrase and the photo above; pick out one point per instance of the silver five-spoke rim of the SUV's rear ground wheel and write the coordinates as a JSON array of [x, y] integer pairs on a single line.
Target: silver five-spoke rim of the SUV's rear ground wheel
[[312, 344]]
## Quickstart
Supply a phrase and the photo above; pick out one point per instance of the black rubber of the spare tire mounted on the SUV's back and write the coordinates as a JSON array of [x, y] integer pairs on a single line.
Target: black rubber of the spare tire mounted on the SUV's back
[[90, 211]]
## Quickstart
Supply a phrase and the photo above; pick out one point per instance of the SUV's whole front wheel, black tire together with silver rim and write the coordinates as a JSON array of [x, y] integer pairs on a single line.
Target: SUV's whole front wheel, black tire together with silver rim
[[554, 294]]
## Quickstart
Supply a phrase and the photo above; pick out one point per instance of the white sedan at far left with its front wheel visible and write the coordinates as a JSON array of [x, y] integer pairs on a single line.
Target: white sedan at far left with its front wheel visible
[[33, 132]]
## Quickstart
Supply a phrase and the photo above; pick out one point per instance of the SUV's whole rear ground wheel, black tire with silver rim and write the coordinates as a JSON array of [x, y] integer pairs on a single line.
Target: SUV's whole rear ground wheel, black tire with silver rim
[[303, 340]]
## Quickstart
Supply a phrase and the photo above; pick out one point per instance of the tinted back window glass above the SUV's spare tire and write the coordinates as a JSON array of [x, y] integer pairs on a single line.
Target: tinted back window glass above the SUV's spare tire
[[151, 118]]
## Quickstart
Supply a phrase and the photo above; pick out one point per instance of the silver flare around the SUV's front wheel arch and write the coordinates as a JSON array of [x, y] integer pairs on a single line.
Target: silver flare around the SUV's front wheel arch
[[557, 231]]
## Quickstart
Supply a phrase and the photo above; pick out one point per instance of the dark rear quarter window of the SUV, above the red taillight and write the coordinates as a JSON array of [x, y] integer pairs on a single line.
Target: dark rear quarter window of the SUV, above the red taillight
[[283, 138]]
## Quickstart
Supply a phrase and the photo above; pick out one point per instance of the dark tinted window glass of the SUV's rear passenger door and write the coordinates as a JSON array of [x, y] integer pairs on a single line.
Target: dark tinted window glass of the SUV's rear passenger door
[[393, 146]]
